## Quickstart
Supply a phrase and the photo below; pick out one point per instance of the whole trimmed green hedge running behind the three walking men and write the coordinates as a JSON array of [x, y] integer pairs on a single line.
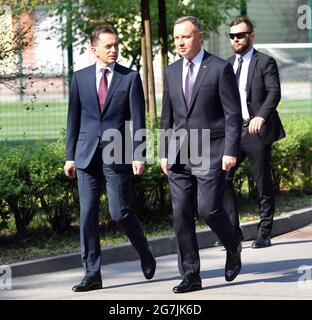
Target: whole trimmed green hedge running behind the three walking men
[[32, 181]]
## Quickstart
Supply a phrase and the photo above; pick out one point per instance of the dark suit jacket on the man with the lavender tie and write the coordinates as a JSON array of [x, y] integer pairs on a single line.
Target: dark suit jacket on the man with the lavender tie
[[215, 105]]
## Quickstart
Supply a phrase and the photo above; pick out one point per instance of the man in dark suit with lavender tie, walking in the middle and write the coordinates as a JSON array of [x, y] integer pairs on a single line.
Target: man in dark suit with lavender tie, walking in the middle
[[200, 94]]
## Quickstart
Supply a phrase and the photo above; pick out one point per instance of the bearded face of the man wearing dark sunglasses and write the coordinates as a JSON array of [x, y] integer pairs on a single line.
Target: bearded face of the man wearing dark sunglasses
[[241, 46]]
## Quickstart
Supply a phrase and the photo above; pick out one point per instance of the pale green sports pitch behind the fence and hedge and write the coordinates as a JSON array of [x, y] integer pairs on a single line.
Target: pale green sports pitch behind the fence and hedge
[[20, 121]]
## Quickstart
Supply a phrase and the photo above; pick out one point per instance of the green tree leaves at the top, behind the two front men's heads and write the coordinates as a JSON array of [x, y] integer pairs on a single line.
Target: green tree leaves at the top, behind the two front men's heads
[[126, 17]]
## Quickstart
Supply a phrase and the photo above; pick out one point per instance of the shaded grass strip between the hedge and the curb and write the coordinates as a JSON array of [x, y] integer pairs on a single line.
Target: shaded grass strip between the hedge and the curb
[[41, 242]]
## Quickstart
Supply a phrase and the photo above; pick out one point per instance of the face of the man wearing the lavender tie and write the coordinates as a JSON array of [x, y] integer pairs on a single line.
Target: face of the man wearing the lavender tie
[[187, 39]]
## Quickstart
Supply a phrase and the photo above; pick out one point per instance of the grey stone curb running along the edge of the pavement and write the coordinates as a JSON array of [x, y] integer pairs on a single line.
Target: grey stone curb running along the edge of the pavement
[[160, 246]]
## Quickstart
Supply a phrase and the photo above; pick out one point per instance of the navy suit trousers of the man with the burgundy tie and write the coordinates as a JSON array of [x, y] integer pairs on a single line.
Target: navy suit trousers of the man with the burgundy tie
[[118, 188]]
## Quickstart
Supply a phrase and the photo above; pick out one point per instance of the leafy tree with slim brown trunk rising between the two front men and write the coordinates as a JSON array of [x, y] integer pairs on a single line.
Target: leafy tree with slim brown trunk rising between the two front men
[[125, 16]]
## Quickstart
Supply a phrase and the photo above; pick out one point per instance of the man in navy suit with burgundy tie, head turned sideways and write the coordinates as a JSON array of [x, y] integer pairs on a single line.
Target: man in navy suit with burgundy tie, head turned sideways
[[103, 98]]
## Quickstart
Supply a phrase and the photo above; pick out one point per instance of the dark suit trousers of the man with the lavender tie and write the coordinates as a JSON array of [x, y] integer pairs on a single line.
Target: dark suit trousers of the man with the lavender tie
[[200, 194]]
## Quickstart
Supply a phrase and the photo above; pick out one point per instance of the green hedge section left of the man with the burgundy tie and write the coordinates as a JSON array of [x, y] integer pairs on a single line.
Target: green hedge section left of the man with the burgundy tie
[[32, 181]]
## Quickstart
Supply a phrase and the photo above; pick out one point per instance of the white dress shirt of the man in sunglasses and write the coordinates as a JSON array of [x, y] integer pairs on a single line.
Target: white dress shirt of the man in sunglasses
[[243, 81]]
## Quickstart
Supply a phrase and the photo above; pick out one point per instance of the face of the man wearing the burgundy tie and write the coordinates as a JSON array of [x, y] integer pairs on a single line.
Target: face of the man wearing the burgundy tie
[[106, 48]]
